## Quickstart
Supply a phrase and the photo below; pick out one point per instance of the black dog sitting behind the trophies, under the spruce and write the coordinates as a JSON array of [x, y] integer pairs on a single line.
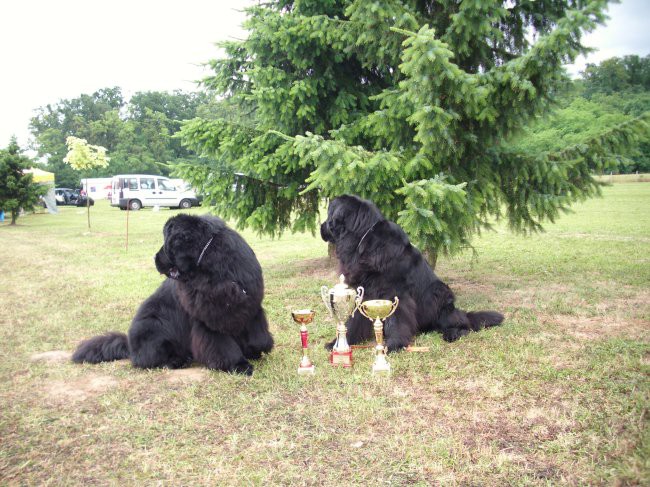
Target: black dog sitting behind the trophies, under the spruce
[[375, 253]]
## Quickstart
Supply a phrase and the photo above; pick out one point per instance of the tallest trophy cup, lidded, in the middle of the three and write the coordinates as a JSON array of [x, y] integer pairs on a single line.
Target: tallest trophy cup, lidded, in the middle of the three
[[341, 301]]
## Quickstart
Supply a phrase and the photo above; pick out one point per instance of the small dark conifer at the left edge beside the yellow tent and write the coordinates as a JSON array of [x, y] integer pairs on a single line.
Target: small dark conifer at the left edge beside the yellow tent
[[17, 189]]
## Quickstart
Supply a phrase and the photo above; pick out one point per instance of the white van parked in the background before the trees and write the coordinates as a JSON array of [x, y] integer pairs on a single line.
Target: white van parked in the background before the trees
[[137, 190]]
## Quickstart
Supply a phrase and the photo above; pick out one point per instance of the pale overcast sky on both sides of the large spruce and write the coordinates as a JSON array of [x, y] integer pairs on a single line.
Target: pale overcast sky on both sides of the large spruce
[[52, 50]]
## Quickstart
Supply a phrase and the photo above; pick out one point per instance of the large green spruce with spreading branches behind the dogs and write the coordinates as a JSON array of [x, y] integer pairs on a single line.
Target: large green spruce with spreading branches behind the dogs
[[412, 104]]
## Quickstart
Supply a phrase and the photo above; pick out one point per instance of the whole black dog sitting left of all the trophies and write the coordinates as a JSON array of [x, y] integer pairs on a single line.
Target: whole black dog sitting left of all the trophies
[[208, 310]]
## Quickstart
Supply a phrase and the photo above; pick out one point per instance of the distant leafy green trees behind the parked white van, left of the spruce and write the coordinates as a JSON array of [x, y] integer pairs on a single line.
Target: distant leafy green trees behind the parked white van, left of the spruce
[[138, 133]]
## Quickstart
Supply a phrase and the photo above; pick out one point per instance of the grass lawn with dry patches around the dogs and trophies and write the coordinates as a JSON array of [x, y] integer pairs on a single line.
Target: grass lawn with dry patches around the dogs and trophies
[[559, 394]]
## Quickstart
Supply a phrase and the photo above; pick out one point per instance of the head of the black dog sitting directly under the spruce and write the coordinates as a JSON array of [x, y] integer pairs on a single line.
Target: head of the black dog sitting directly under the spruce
[[346, 215]]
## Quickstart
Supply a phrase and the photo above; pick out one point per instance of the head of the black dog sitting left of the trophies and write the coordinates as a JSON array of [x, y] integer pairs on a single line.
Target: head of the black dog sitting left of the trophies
[[185, 239]]
